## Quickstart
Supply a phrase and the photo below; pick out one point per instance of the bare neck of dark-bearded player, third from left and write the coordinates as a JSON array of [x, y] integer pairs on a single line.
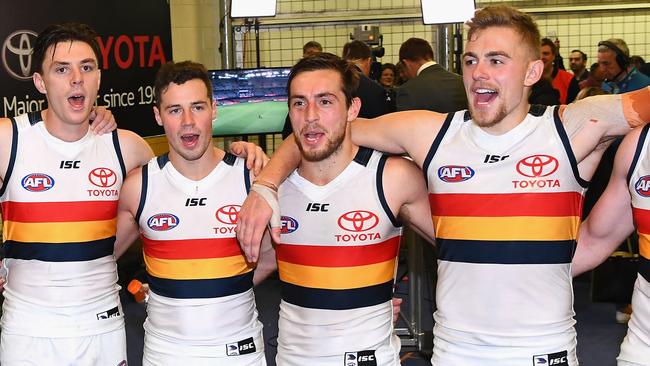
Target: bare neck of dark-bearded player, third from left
[[322, 172]]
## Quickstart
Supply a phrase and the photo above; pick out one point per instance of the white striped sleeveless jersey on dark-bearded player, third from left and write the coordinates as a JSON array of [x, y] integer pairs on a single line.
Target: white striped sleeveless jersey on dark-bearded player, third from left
[[337, 264]]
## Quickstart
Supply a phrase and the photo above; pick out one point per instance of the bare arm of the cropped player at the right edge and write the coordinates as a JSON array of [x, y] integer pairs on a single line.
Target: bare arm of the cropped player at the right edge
[[610, 221]]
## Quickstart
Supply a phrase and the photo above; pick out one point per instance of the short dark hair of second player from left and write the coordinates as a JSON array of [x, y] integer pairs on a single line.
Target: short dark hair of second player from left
[[178, 73]]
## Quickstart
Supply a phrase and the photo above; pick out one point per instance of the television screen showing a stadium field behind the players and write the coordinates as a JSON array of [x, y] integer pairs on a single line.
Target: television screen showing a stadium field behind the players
[[249, 101]]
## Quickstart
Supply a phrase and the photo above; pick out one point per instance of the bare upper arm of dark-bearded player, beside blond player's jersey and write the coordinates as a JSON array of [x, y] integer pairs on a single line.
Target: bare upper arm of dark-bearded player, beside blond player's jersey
[[407, 196]]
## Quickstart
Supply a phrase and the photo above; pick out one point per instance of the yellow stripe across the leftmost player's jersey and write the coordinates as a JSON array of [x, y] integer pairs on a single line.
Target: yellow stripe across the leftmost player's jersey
[[59, 232]]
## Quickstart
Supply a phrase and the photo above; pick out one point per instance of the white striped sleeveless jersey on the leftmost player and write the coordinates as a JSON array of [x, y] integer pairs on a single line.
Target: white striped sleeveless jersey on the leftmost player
[[59, 205]]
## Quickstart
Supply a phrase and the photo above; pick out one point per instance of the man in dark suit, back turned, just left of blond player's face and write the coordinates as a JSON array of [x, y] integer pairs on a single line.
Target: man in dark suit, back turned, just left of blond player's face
[[430, 86]]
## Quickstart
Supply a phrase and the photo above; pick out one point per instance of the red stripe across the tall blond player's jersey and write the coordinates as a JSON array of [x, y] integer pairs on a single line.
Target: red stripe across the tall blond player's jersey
[[506, 204]]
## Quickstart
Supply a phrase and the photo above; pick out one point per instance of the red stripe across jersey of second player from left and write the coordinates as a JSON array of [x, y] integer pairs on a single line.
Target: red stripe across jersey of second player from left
[[191, 249]]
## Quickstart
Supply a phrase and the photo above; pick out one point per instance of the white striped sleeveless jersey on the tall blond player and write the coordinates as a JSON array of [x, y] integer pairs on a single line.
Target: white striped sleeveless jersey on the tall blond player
[[506, 212]]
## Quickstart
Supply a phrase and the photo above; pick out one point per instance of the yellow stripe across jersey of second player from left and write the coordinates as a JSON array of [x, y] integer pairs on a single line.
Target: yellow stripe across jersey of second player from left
[[194, 269]]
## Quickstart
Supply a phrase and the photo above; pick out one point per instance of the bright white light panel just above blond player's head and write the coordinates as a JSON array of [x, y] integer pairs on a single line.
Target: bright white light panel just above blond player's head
[[447, 11]]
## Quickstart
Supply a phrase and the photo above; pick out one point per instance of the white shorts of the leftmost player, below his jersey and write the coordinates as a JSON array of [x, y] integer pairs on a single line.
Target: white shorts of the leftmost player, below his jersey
[[107, 349]]
